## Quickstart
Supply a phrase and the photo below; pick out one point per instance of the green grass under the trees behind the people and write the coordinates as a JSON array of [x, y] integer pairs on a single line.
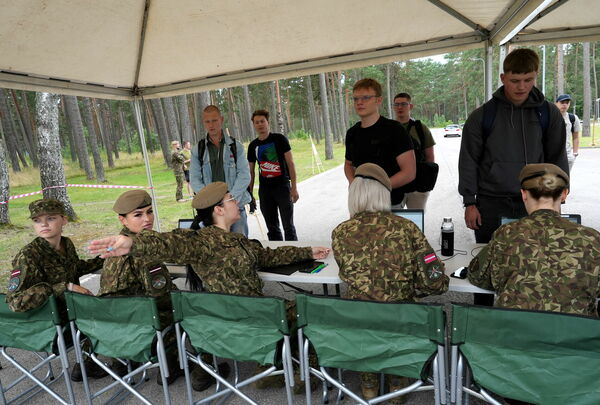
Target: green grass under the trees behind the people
[[94, 206]]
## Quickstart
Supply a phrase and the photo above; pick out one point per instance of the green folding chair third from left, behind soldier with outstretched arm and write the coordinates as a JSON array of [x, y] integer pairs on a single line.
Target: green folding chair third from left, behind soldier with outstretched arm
[[234, 327]]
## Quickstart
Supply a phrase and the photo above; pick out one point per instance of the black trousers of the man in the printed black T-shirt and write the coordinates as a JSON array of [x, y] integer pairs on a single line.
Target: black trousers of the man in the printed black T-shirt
[[275, 202]]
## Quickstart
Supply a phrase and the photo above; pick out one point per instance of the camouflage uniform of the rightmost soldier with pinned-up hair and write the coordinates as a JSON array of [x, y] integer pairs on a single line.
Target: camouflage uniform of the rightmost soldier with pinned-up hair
[[541, 262]]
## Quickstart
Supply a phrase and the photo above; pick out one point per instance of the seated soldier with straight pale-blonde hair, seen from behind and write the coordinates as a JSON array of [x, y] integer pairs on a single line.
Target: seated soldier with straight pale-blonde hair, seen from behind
[[383, 257]]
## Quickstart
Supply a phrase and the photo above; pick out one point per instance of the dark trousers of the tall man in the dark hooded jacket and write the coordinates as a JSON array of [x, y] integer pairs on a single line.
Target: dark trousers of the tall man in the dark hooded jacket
[[492, 209]]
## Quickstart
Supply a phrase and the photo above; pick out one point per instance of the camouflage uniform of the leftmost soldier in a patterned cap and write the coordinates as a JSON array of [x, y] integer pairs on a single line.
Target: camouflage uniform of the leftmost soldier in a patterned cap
[[39, 270]]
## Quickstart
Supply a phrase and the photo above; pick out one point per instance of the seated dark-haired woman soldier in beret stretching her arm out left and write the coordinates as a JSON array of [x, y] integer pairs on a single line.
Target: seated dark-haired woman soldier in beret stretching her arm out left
[[226, 262]]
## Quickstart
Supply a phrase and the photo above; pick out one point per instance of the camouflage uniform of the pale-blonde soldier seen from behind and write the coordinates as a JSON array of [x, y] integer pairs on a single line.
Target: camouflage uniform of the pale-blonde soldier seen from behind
[[383, 257]]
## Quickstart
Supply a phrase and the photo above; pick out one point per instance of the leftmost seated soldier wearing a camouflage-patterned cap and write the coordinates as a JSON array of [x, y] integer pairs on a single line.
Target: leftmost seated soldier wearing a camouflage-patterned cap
[[49, 265]]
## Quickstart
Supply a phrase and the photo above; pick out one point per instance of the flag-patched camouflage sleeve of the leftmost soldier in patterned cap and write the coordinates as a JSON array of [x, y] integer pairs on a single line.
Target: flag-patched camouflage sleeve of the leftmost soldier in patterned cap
[[27, 287]]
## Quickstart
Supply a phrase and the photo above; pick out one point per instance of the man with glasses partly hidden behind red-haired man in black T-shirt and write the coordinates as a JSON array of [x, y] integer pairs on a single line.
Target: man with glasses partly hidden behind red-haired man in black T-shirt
[[422, 141]]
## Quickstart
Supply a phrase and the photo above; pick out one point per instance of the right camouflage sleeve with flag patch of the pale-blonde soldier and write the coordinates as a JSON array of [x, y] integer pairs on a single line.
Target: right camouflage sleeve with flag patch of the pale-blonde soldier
[[430, 277]]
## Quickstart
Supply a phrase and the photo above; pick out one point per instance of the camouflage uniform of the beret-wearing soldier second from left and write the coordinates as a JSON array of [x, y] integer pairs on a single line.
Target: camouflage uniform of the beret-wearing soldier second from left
[[126, 275]]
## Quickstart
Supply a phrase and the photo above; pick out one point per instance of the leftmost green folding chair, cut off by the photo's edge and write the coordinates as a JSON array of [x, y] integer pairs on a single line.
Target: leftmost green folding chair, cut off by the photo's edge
[[38, 331]]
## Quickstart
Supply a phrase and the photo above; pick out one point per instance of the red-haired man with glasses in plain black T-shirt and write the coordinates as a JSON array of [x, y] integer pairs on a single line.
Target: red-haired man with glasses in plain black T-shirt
[[379, 140]]
